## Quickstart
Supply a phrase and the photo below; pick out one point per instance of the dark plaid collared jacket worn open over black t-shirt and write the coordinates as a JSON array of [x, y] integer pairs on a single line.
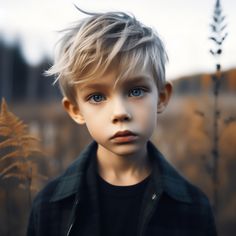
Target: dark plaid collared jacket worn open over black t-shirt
[[171, 205]]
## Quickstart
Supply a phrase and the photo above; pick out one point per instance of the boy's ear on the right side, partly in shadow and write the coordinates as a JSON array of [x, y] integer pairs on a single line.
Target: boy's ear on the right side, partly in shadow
[[164, 97]]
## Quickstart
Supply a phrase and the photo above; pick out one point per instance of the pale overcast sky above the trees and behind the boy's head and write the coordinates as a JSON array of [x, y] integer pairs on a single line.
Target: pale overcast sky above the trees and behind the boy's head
[[182, 24]]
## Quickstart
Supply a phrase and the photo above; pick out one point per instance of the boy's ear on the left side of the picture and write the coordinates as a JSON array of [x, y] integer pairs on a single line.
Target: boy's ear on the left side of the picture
[[73, 111]]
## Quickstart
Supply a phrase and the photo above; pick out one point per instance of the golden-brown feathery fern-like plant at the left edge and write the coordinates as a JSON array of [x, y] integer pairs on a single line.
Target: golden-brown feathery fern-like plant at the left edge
[[19, 149]]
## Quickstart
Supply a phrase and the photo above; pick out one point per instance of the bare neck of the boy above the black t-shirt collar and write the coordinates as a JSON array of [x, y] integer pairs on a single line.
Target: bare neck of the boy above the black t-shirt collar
[[123, 169]]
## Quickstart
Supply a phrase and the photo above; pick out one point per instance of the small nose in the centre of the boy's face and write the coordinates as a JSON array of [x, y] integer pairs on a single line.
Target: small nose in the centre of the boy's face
[[120, 111]]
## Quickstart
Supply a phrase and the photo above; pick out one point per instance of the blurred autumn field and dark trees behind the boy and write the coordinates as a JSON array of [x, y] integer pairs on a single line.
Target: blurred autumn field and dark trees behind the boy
[[184, 135]]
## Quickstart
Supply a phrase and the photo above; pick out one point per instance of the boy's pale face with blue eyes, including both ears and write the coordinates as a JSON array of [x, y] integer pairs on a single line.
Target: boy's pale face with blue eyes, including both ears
[[121, 118]]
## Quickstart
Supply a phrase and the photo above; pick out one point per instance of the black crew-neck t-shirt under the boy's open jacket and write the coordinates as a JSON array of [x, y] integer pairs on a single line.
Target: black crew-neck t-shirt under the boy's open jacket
[[120, 207]]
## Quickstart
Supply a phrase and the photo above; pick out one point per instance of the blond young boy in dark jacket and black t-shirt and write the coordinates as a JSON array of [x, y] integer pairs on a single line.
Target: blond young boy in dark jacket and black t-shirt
[[111, 71]]
